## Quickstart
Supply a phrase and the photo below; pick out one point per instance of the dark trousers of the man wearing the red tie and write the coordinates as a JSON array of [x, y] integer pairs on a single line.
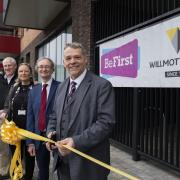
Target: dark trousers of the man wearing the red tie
[[43, 160]]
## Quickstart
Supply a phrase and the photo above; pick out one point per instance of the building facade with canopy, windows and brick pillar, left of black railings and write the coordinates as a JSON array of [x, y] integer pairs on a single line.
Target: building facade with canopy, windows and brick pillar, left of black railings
[[66, 21]]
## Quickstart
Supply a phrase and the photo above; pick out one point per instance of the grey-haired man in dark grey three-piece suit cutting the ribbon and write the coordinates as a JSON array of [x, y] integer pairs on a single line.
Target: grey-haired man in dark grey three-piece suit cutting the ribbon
[[83, 117]]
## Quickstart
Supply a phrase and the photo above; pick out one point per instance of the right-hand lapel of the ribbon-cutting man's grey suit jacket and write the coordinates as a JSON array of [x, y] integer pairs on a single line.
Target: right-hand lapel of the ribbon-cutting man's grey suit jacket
[[80, 93]]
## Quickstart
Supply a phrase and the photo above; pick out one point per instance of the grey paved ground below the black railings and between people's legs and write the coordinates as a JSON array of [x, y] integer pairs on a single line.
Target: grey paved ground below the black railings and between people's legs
[[144, 169]]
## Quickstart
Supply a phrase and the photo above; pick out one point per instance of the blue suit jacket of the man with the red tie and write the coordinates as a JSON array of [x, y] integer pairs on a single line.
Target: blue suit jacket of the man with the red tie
[[34, 101]]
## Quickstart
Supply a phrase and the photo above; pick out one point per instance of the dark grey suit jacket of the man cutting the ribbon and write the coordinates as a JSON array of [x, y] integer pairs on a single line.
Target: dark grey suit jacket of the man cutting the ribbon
[[92, 118]]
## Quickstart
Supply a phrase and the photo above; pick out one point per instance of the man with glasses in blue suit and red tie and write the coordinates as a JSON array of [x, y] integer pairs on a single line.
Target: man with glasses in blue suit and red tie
[[40, 103]]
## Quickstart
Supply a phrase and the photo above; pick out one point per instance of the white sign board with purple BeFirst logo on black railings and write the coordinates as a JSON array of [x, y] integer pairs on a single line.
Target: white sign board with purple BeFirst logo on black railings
[[149, 57]]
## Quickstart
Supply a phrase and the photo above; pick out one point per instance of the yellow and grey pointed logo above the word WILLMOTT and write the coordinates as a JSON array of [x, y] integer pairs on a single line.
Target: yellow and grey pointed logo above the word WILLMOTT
[[174, 36]]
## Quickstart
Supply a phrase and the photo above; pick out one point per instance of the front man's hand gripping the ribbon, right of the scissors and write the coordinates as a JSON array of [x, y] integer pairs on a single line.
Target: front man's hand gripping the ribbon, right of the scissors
[[64, 151]]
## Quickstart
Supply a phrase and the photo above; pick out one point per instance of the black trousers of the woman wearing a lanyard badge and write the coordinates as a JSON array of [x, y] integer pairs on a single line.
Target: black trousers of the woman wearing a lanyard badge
[[28, 160]]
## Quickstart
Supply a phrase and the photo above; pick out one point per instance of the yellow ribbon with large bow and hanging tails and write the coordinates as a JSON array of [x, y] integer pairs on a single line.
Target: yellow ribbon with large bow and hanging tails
[[11, 134]]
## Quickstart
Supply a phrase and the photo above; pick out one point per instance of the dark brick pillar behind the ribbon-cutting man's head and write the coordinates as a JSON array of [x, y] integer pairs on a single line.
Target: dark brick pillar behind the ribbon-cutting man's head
[[82, 26]]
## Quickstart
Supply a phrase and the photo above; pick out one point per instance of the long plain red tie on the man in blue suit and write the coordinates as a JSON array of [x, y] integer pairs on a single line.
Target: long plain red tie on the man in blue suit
[[42, 111]]
